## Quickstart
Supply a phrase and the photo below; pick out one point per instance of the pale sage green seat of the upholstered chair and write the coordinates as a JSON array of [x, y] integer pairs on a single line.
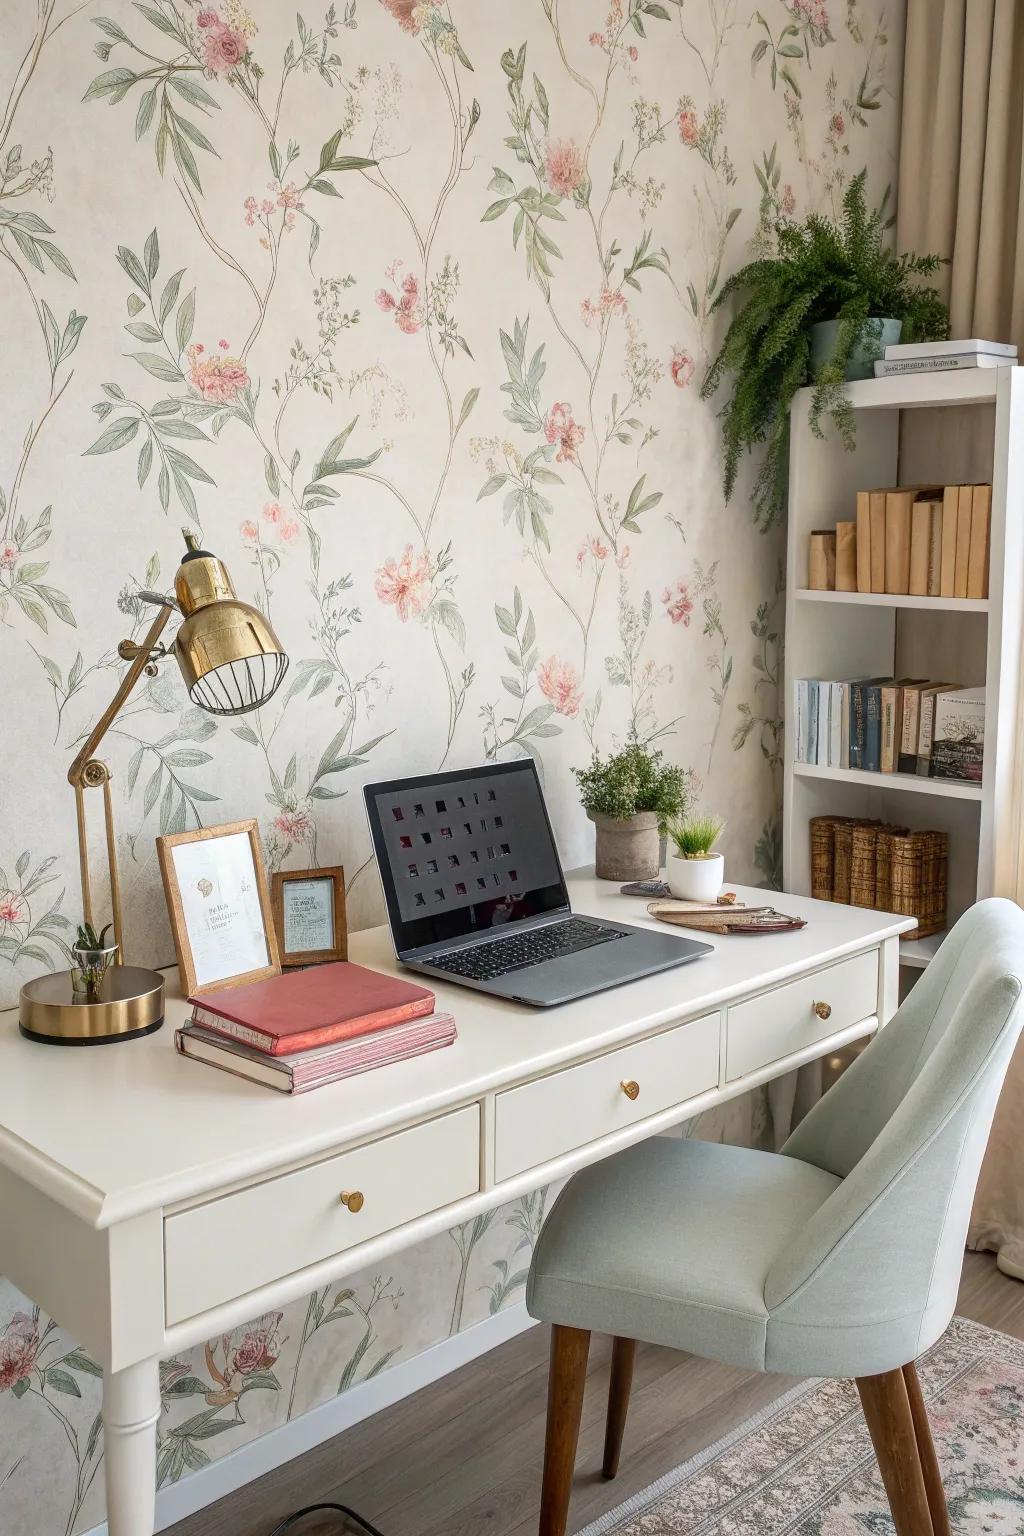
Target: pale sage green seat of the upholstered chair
[[672, 1242]]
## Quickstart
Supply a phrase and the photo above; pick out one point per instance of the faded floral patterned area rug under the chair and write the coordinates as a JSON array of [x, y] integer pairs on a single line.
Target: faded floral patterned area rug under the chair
[[805, 1466]]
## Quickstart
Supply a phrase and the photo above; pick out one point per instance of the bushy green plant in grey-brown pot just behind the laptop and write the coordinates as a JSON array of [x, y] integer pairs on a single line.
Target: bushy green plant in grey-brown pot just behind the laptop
[[630, 798]]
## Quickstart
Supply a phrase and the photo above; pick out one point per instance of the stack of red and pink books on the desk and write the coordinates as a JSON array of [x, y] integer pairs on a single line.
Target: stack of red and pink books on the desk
[[317, 1027]]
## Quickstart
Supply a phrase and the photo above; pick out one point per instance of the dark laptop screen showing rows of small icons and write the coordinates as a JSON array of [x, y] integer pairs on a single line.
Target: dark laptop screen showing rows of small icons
[[463, 853]]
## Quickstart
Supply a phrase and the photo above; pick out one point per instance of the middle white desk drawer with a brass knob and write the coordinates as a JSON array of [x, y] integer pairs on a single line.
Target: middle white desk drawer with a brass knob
[[569, 1110]]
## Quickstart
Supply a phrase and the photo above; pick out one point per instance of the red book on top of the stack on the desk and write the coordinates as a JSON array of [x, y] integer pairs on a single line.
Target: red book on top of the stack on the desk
[[311, 1008]]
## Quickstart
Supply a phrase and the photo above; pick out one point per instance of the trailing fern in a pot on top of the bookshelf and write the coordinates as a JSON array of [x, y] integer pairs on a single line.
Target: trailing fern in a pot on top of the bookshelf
[[819, 313]]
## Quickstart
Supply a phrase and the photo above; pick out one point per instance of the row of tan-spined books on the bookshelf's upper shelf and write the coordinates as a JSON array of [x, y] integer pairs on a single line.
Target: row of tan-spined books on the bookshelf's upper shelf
[[925, 541]]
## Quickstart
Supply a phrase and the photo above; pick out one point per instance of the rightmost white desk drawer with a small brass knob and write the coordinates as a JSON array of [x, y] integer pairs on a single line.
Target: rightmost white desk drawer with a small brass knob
[[784, 1022]]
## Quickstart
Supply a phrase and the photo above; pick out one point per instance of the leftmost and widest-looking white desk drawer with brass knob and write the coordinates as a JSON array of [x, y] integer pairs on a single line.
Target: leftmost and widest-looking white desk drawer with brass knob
[[233, 1245]]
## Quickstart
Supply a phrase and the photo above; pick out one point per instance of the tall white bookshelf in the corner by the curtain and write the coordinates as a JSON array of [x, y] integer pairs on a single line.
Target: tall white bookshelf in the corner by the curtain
[[925, 429]]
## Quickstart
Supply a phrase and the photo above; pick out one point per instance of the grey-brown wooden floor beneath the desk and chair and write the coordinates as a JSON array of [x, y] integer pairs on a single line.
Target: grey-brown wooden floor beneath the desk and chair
[[463, 1458]]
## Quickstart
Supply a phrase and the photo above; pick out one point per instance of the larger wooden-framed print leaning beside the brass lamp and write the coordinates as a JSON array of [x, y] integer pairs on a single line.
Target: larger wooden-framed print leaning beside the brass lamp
[[220, 912]]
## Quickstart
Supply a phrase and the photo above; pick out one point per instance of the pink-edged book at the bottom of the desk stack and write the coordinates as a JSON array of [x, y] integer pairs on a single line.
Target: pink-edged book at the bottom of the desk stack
[[302, 1071]]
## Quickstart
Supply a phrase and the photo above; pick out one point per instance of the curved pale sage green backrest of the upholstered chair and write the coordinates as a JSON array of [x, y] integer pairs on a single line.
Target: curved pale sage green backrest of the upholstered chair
[[905, 1130]]
